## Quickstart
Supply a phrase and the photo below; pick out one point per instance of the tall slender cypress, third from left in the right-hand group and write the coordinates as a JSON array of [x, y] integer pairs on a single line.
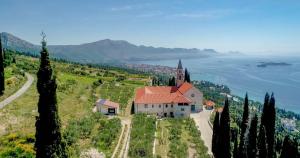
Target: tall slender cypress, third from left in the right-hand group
[[242, 146]]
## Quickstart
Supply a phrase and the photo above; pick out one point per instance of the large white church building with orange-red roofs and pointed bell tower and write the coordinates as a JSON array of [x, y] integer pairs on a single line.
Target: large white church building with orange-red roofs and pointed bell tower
[[174, 101]]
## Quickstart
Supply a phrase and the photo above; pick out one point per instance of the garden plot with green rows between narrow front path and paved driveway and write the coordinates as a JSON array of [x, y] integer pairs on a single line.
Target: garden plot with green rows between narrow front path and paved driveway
[[179, 138]]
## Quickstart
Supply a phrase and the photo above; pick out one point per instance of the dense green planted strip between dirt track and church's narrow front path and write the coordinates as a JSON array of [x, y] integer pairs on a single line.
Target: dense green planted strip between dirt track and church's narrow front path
[[142, 136]]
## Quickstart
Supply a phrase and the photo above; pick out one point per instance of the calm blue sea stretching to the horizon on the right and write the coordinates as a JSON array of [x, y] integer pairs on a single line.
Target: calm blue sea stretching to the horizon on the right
[[242, 75]]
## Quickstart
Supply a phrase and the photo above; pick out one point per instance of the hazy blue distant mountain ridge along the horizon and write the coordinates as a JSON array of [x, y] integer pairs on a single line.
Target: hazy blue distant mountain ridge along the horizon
[[106, 51]]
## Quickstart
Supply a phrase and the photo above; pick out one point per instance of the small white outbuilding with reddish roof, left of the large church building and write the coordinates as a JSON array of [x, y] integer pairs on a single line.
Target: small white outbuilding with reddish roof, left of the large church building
[[107, 107]]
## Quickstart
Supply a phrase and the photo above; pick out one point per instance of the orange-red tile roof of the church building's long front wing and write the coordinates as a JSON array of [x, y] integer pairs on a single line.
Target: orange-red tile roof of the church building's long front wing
[[160, 94]]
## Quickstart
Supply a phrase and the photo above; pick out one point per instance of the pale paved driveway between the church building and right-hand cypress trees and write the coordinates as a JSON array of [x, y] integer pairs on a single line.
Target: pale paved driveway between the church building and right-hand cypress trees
[[201, 120]]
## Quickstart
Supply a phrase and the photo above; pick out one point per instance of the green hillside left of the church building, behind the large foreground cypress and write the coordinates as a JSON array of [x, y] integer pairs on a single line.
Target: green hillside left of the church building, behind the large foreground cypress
[[78, 88]]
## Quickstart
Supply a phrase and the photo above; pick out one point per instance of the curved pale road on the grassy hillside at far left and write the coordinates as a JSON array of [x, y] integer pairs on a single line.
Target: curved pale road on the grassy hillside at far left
[[22, 90]]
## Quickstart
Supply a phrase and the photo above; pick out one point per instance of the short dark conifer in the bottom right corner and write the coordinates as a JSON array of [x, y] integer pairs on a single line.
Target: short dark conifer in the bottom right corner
[[289, 148]]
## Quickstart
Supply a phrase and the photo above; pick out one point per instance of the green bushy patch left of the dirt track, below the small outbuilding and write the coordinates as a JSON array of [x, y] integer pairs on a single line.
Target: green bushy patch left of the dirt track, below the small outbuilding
[[94, 129]]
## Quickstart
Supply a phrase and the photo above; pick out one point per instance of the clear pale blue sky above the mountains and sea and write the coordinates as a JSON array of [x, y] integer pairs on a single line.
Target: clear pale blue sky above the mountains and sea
[[248, 26]]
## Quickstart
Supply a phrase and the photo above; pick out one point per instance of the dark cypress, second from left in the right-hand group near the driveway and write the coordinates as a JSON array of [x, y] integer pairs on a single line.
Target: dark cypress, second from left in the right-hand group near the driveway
[[224, 136]]
